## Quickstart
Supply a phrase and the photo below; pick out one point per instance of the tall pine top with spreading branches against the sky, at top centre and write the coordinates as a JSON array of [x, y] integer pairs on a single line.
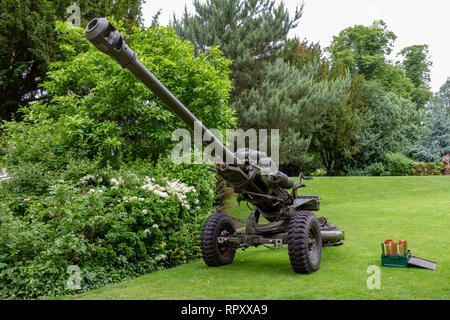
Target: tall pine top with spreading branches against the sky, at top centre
[[248, 32]]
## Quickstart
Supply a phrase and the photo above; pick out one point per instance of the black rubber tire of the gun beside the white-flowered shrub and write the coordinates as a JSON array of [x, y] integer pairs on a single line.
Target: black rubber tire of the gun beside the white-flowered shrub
[[213, 253]]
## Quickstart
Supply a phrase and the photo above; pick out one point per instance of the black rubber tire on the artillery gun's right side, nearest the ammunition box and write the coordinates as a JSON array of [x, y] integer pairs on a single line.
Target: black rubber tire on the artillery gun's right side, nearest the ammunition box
[[304, 242]]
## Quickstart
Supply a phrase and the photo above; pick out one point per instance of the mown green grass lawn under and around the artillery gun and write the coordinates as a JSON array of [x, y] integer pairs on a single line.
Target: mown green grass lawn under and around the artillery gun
[[368, 209]]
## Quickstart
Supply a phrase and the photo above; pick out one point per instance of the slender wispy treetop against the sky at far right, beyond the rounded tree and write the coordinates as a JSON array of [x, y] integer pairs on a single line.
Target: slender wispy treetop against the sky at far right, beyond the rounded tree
[[416, 64]]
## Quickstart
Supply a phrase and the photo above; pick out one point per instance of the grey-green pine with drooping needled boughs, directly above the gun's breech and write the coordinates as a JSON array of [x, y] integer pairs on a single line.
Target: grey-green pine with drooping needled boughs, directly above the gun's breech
[[292, 101]]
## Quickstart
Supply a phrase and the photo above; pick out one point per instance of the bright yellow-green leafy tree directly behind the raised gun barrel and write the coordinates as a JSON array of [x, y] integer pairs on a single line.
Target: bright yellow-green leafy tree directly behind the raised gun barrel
[[99, 110]]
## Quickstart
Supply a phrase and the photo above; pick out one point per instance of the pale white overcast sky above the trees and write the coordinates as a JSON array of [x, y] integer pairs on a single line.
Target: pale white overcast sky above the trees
[[412, 21]]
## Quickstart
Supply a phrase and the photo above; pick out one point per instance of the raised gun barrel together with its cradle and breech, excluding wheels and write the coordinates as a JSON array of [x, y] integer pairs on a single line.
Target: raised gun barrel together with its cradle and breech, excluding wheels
[[268, 193]]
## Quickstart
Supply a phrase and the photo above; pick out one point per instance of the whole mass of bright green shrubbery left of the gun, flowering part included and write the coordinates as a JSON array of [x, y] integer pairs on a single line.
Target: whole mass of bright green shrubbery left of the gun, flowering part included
[[78, 193]]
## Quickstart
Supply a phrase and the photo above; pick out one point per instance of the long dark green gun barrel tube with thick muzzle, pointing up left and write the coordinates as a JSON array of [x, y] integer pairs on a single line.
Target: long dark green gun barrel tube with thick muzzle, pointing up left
[[103, 35]]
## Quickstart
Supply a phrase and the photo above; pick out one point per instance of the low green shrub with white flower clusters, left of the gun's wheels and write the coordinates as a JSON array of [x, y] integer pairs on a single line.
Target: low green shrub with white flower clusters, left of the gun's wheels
[[102, 220]]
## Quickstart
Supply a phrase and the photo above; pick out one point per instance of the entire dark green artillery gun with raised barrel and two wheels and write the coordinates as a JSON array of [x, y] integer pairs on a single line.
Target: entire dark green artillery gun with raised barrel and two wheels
[[252, 176]]
